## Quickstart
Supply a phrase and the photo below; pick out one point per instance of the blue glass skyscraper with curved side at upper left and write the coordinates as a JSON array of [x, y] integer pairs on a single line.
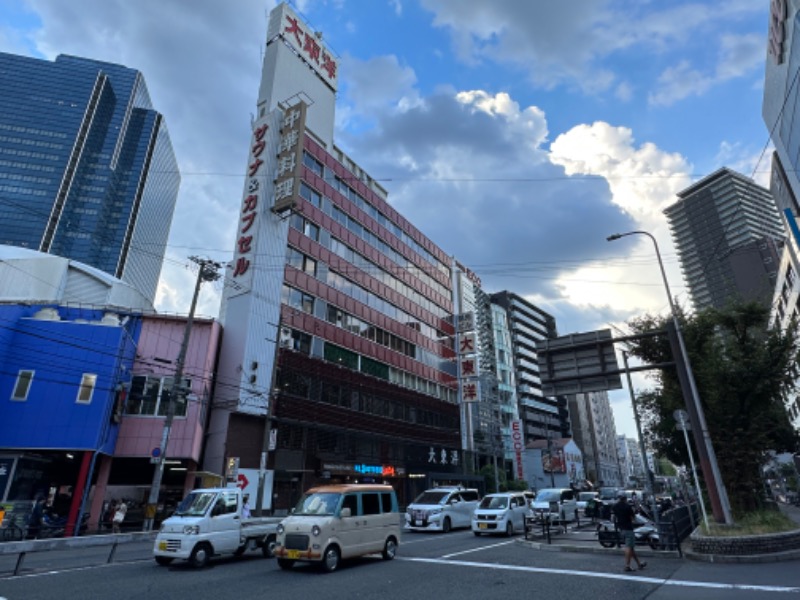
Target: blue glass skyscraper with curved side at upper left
[[87, 170]]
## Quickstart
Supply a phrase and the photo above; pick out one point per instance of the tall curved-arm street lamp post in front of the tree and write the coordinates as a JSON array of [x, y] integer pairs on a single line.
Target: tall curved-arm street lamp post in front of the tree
[[719, 497]]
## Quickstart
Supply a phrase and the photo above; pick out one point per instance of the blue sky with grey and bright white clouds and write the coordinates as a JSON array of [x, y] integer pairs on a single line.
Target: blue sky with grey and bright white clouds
[[517, 135]]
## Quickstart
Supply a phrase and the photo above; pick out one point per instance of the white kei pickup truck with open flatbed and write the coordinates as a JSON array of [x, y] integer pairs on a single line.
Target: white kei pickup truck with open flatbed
[[209, 522]]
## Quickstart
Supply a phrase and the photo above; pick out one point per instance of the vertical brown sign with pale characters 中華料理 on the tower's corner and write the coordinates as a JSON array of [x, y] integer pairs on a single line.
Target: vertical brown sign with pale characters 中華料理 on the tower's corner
[[290, 158]]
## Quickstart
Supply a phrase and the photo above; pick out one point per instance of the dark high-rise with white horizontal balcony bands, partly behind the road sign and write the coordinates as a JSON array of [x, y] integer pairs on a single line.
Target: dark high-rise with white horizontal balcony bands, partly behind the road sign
[[543, 417]]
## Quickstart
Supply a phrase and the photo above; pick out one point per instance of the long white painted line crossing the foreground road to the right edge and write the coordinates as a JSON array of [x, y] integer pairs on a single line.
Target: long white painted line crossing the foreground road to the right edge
[[619, 576]]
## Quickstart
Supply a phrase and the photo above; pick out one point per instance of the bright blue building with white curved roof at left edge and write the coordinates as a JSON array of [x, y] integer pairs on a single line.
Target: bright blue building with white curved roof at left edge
[[68, 340]]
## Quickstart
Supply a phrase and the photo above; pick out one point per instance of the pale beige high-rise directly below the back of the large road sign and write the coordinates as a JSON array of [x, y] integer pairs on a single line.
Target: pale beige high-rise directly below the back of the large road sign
[[595, 434]]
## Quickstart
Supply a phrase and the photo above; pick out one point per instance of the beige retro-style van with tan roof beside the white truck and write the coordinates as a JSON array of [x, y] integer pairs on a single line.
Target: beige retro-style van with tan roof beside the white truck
[[335, 522]]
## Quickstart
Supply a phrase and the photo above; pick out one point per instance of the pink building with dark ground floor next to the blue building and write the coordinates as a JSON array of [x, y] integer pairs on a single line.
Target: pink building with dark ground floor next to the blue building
[[129, 473]]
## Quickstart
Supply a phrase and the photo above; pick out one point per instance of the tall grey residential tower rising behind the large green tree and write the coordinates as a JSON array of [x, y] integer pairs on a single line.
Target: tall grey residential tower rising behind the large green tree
[[728, 236]]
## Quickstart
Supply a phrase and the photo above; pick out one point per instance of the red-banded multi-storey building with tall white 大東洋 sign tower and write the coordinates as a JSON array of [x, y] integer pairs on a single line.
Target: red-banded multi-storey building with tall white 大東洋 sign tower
[[338, 312]]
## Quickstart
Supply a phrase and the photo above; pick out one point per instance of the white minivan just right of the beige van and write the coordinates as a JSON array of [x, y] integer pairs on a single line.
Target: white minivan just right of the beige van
[[442, 509]]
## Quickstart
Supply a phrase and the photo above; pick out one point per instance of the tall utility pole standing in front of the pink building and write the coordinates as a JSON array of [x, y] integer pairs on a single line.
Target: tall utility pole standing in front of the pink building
[[208, 272]]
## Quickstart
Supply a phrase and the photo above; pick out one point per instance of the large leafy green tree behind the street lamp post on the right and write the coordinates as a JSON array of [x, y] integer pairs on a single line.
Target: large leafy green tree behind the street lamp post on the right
[[742, 369]]
